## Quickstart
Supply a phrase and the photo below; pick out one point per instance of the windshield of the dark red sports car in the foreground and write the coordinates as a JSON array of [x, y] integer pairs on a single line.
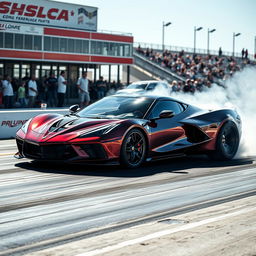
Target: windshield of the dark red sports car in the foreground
[[117, 107]]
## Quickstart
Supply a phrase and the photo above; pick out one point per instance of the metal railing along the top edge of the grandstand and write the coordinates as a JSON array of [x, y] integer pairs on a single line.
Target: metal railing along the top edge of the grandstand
[[187, 49]]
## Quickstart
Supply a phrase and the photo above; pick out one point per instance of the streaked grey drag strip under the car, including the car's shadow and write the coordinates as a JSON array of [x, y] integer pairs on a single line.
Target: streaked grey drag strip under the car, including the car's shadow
[[43, 204]]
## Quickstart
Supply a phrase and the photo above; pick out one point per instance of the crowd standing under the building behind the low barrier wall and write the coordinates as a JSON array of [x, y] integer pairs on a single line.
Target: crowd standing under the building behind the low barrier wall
[[31, 92]]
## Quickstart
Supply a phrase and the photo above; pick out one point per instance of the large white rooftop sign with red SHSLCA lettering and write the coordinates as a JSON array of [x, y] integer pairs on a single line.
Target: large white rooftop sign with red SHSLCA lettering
[[49, 13]]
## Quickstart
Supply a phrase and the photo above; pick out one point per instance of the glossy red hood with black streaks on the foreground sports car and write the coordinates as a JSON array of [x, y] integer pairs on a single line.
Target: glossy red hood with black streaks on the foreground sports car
[[64, 128]]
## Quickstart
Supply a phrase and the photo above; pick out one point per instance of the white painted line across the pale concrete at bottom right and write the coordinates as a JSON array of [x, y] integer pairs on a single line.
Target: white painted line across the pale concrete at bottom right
[[164, 233]]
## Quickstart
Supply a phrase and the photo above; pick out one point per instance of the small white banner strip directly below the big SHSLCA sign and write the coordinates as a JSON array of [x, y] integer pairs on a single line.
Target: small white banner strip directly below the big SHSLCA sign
[[21, 28]]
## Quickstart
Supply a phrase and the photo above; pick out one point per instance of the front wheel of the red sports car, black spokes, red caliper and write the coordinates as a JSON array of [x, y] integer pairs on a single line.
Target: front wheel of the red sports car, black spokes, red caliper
[[133, 150]]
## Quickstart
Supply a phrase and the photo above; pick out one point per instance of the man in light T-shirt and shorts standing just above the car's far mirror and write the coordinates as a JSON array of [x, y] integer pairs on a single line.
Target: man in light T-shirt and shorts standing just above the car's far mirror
[[83, 90]]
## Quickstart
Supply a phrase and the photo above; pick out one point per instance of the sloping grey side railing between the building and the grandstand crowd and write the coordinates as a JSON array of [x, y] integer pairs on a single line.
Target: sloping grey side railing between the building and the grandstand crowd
[[155, 69]]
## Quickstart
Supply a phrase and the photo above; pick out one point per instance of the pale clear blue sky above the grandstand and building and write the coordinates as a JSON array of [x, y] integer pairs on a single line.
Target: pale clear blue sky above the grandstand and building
[[144, 19]]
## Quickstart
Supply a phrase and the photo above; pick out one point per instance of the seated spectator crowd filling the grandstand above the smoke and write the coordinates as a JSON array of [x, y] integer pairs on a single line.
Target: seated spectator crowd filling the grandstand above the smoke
[[197, 71]]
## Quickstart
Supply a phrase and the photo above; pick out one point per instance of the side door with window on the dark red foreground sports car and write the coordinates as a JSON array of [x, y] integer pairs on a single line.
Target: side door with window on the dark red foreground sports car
[[166, 134]]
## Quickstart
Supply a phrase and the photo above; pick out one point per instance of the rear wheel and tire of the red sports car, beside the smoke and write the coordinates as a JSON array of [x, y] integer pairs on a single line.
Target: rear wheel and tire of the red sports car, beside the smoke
[[227, 142]]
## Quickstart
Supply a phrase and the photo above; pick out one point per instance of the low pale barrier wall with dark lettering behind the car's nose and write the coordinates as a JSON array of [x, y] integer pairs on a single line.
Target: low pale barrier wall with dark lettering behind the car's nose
[[12, 120]]
